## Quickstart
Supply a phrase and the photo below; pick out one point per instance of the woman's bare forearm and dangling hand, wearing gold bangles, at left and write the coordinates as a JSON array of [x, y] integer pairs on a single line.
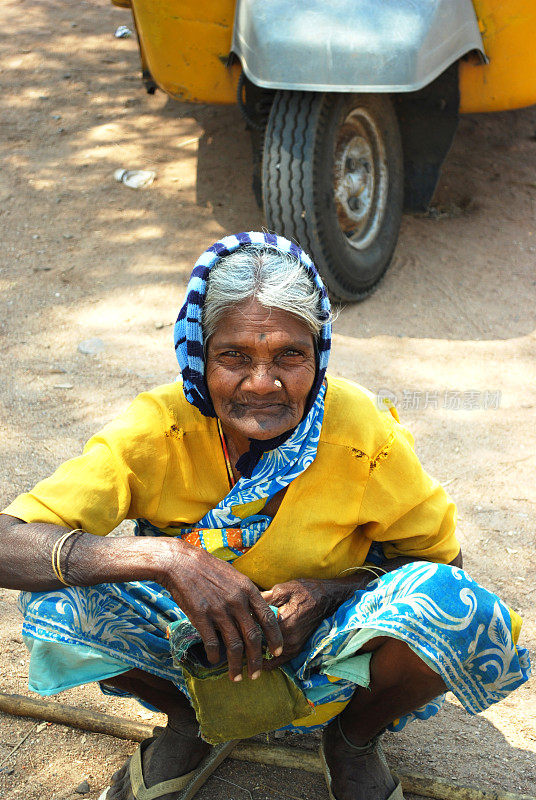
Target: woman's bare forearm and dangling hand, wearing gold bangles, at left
[[216, 598]]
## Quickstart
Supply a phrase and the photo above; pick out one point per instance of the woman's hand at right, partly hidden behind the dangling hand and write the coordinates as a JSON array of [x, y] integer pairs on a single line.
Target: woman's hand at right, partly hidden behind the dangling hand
[[303, 604]]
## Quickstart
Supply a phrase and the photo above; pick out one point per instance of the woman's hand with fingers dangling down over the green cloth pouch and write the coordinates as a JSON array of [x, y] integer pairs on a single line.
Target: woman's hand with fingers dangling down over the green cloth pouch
[[216, 598]]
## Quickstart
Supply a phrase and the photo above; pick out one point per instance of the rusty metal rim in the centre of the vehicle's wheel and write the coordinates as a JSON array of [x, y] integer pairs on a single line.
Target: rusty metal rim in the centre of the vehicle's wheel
[[360, 178]]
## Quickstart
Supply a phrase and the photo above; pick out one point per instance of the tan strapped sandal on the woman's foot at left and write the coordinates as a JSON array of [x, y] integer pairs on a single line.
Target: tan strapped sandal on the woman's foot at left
[[185, 786]]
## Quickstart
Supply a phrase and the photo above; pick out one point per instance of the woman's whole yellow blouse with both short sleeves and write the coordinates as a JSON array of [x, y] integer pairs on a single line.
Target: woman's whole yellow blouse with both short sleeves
[[162, 460]]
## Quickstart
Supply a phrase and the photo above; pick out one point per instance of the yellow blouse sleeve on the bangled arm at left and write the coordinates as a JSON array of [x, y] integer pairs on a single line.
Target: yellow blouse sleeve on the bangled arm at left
[[118, 476]]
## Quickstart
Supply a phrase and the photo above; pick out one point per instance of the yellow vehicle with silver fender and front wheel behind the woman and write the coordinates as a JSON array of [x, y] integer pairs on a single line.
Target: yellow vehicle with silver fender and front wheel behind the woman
[[352, 105]]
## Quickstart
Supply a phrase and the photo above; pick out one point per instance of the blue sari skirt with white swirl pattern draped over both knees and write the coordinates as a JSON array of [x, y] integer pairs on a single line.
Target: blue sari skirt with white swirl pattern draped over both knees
[[461, 630]]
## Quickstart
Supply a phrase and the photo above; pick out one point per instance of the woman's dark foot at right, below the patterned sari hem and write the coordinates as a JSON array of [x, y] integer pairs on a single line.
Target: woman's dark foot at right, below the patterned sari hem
[[356, 773]]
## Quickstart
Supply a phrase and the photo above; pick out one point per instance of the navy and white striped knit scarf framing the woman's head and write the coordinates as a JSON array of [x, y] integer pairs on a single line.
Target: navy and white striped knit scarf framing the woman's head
[[188, 333]]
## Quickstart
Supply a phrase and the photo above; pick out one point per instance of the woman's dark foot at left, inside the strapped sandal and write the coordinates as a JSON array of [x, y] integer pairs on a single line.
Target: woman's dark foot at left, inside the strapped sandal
[[170, 755]]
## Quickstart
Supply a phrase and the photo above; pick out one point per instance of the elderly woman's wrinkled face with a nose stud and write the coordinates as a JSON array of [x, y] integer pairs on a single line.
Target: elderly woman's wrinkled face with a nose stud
[[260, 368]]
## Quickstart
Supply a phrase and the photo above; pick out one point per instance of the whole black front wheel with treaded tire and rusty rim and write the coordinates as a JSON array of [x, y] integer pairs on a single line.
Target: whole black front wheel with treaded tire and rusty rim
[[333, 180]]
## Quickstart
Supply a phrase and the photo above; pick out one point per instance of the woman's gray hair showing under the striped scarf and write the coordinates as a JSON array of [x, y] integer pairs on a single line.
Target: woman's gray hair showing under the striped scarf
[[275, 279]]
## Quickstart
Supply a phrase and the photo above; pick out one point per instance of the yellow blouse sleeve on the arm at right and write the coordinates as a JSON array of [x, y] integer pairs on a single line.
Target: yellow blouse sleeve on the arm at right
[[404, 508]]
